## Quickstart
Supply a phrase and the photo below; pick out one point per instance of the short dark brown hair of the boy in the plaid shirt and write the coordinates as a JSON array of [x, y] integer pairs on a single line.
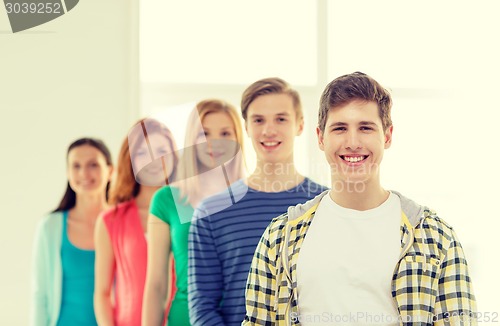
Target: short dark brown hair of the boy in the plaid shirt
[[352, 87]]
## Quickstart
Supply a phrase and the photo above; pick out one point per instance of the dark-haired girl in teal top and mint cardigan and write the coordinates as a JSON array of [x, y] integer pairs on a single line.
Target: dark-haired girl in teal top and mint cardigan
[[63, 266]]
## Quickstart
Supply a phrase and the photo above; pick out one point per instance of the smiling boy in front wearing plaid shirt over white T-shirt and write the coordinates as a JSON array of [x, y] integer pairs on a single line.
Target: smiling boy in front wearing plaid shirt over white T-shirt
[[358, 254]]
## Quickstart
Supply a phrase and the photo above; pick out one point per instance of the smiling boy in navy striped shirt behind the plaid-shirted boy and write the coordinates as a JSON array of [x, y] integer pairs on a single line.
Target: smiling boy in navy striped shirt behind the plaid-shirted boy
[[222, 242]]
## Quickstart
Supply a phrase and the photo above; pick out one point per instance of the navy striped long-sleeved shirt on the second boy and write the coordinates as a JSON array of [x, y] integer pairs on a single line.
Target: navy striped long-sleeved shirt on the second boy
[[222, 243]]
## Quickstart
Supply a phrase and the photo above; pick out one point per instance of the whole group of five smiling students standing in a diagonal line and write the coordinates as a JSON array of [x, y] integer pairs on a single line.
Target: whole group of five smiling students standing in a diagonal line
[[190, 240]]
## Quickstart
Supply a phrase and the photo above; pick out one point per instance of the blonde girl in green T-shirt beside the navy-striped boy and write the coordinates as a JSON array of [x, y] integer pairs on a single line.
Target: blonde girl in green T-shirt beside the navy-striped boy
[[211, 160]]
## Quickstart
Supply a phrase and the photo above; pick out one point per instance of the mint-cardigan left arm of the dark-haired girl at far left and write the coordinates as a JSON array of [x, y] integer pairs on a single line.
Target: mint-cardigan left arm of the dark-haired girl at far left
[[39, 309]]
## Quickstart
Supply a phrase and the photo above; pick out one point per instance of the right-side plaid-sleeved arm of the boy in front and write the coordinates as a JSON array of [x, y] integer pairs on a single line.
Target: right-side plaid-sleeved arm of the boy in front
[[455, 300]]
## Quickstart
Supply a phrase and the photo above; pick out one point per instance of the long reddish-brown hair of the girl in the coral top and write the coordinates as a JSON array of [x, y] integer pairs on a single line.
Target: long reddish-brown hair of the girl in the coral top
[[125, 186]]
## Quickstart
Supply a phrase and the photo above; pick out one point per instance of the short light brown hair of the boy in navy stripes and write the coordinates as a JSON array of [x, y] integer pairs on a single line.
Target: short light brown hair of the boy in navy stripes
[[266, 86]]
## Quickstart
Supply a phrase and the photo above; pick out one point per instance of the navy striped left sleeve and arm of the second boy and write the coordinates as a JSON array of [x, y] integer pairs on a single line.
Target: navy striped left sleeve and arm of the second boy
[[205, 286]]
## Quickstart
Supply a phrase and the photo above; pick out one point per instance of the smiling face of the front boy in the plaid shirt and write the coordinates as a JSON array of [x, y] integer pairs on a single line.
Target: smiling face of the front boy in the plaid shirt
[[354, 141]]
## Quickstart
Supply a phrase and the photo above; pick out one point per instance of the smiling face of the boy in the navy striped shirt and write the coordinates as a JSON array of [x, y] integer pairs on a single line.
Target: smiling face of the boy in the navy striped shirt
[[272, 125]]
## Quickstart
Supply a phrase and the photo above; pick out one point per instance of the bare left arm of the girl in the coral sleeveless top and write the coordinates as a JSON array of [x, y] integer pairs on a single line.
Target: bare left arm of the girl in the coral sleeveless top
[[104, 274]]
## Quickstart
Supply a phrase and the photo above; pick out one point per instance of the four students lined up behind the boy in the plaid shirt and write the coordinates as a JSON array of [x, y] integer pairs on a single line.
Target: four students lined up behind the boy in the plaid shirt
[[104, 256]]
